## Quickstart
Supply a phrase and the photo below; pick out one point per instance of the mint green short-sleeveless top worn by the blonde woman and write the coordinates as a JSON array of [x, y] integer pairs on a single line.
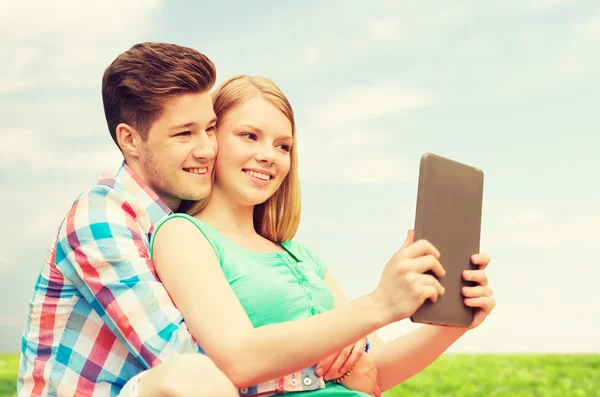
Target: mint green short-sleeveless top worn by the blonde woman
[[273, 287]]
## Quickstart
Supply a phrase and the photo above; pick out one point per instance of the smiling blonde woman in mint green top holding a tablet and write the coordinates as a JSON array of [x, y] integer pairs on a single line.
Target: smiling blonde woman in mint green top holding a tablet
[[262, 305]]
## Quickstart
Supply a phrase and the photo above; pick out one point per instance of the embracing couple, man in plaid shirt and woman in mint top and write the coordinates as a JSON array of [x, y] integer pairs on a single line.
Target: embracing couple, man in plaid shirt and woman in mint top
[[179, 276]]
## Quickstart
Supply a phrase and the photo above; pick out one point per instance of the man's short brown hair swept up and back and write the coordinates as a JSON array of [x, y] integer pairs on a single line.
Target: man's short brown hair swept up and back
[[138, 82]]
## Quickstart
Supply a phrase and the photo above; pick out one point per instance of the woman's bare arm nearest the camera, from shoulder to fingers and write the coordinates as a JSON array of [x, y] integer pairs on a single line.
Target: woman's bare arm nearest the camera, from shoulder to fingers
[[189, 269]]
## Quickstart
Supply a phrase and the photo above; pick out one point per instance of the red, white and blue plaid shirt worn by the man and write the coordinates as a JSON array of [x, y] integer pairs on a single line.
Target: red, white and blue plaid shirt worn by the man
[[98, 314]]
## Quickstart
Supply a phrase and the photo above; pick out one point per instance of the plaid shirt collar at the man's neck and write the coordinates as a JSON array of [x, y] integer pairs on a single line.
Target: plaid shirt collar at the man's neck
[[145, 197]]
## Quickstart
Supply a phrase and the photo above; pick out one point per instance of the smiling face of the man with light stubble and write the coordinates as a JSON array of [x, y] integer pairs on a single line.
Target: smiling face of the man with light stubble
[[178, 157]]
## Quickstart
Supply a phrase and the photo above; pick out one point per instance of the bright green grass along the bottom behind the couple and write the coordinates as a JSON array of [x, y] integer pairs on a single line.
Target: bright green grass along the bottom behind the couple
[[464, 375]]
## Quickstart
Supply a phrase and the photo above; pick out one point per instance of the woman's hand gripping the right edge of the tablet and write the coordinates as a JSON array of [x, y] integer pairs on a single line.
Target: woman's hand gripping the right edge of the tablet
[[481, 295]]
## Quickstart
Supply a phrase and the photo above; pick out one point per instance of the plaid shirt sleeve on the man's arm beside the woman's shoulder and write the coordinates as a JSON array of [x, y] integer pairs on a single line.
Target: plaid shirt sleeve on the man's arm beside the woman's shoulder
[[103, 251]]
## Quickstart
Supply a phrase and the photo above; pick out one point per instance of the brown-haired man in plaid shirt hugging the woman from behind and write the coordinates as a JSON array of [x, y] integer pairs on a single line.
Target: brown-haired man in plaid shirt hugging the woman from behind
[[98, 315]]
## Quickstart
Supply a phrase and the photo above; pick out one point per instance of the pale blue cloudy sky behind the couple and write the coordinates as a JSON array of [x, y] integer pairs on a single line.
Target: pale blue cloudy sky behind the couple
[[509, 87]]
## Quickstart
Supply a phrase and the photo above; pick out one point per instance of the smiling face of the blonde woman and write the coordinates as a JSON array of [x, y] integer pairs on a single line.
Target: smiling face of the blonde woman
[[254, 151]]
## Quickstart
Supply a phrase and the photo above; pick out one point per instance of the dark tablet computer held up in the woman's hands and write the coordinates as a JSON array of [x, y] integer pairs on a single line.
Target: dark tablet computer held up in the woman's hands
[[448, 214]]
